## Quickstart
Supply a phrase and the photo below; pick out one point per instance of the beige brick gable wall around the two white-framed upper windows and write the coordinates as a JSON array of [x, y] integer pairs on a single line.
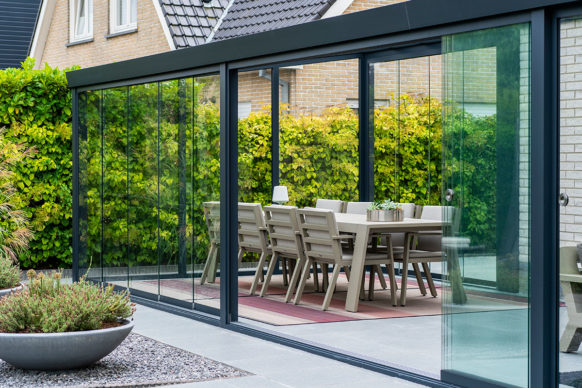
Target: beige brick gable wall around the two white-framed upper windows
[[149, 39]]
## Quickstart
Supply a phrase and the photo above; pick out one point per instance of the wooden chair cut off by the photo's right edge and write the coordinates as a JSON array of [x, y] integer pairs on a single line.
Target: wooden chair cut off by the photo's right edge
[[571, 281]]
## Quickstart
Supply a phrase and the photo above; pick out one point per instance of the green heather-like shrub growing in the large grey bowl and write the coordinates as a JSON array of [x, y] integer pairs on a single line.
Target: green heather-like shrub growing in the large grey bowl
[[47, 306]]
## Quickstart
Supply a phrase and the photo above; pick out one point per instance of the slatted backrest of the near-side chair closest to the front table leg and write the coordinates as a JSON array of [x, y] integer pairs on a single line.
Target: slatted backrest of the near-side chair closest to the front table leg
[[319, 233]]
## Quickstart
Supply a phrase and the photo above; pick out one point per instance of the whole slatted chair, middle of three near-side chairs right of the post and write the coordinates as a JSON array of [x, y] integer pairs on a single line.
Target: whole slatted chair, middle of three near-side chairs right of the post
[[285, 244]]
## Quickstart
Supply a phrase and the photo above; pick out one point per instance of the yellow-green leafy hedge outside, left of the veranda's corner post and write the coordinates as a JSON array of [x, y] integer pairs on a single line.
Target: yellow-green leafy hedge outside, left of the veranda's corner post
[[35, 107]]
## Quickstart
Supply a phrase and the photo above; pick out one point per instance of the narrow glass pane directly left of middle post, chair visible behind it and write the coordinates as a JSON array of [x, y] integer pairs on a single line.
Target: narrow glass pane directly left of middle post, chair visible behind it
[[206, 190]]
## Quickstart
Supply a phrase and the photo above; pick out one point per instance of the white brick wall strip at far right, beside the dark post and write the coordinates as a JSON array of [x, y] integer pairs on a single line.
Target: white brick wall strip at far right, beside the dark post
[[571, 131]]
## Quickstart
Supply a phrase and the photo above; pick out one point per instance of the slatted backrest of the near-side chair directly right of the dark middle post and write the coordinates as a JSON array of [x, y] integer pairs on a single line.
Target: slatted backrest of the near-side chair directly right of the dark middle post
[[252, 230]]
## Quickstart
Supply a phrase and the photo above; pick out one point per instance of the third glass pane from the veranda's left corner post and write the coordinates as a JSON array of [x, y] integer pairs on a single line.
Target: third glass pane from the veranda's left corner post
[[143, 187]]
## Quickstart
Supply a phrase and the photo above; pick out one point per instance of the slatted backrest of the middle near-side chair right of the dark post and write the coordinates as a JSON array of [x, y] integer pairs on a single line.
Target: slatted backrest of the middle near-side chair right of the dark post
[[284, 230]]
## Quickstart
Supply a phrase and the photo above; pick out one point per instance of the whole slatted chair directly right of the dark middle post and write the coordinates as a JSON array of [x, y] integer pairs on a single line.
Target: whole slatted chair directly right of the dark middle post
[[253, 237]]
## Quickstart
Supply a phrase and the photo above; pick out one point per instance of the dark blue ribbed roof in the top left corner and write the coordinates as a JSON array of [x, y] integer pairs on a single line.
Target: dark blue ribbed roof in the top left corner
[[17, 21]]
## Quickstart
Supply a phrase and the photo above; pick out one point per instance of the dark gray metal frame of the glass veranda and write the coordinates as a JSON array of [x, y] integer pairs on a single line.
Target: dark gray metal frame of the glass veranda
[[360, 34]]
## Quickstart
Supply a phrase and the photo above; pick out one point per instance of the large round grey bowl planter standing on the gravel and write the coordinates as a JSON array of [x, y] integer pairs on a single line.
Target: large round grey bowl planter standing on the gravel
[[59, 351]]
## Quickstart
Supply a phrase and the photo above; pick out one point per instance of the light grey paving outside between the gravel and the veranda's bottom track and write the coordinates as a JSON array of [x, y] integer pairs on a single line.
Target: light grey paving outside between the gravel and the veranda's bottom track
[[272, 365]]
